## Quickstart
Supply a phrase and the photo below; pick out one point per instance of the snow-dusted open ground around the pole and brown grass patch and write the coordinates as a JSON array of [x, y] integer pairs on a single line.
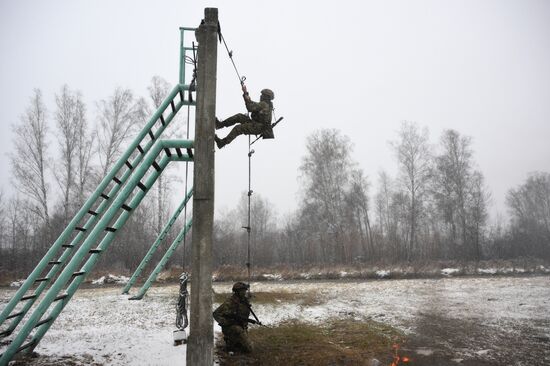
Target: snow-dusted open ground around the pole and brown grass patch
[[480, 320]]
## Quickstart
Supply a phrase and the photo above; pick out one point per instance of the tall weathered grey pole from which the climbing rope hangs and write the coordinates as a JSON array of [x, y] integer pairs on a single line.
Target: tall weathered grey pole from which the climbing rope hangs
[[201, 333]]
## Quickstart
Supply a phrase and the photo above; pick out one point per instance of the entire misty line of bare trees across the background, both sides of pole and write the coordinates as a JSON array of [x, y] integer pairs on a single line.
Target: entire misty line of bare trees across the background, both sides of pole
[[434, 208]]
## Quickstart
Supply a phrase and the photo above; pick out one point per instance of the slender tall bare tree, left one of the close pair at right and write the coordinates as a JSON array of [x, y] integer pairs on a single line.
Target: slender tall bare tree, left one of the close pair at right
[[414, 158]]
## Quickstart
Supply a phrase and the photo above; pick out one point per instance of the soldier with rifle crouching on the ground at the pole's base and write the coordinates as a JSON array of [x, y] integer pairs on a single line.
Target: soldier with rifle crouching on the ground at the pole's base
[[232, 316]]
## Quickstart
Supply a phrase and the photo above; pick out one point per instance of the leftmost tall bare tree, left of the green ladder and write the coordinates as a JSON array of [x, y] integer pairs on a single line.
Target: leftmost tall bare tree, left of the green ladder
[[29, 159]]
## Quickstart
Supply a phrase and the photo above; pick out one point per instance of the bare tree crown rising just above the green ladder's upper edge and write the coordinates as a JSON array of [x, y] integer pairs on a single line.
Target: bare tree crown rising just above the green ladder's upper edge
[[119, 116]]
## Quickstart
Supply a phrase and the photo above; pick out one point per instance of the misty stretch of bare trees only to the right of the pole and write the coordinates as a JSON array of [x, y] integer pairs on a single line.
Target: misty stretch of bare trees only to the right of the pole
[[435, 208]]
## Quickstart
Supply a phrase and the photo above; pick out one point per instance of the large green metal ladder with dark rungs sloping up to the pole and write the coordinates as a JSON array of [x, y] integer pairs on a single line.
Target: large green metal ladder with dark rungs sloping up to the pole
[[94, 221]]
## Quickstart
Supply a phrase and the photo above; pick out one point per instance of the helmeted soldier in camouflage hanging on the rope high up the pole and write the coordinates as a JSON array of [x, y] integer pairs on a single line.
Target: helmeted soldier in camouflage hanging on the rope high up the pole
[[259, 122]]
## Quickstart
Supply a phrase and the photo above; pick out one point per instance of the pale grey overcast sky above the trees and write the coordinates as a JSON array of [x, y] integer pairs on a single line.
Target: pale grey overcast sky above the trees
[[363, 67]]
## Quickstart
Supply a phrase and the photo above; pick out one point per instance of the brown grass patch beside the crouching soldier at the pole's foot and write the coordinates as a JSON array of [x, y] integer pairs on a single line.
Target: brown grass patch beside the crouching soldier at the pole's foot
[[340, 342]]
